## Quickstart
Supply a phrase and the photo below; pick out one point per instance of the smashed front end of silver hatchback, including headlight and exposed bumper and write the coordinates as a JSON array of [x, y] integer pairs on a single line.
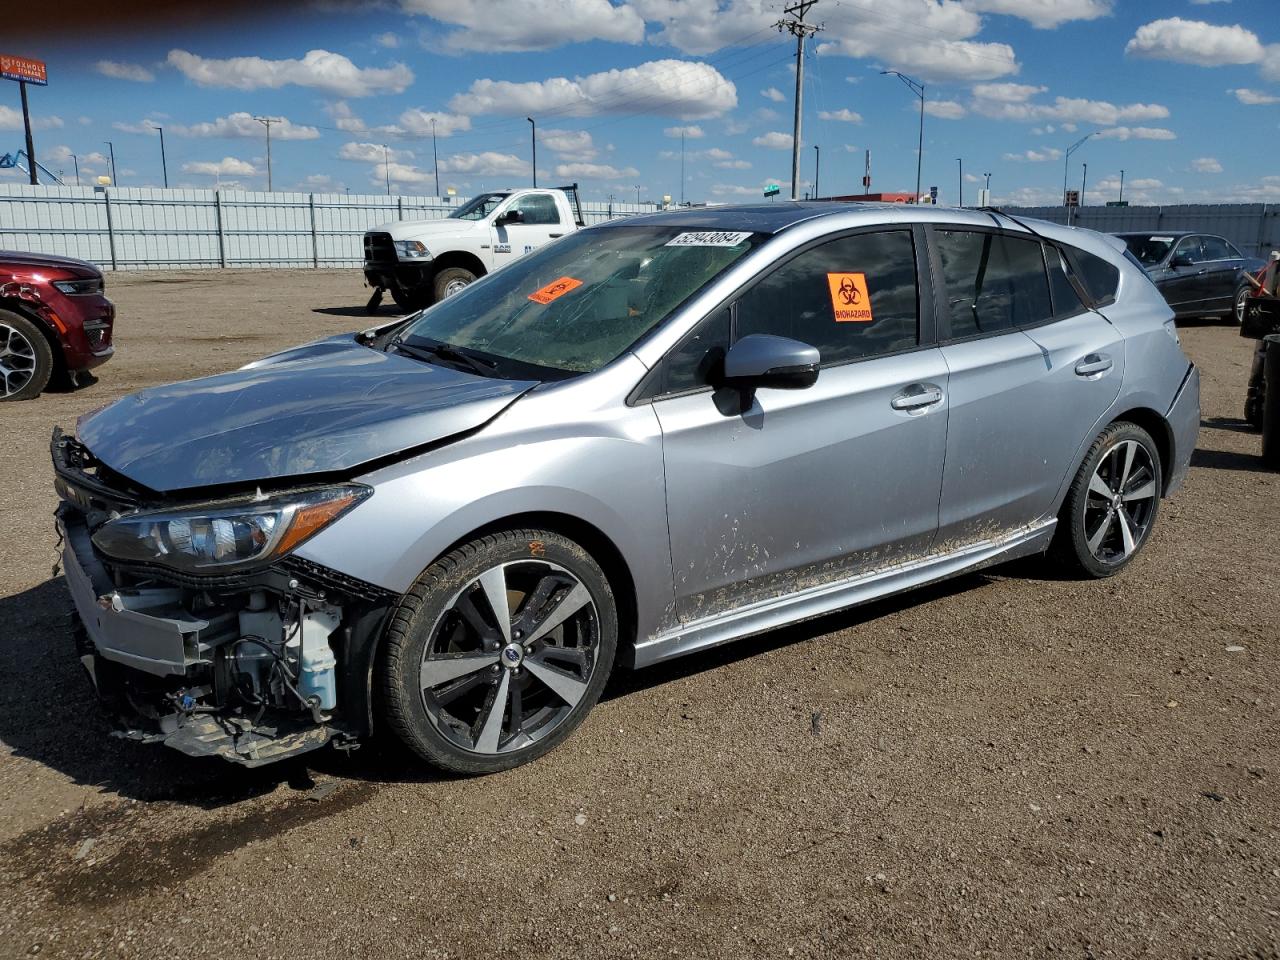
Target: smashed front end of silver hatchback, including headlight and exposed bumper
[[198, 625]]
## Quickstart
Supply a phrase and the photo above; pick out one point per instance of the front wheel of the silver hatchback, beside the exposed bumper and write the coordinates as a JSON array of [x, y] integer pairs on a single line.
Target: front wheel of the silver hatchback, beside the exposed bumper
[[499, 651]]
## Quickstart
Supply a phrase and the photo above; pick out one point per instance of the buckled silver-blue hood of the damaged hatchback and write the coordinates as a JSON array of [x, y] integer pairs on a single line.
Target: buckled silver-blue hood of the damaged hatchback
[[322, 409]]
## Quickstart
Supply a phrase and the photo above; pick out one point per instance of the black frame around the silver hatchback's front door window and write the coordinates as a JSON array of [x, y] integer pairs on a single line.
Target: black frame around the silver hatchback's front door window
[[652, 385]]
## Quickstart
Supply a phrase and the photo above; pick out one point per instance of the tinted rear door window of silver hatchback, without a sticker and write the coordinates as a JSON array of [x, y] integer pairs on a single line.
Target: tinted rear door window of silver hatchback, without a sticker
[[994, 282]]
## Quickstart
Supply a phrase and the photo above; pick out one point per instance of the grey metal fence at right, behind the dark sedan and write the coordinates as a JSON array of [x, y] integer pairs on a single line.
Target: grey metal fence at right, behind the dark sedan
[[1255, 228]]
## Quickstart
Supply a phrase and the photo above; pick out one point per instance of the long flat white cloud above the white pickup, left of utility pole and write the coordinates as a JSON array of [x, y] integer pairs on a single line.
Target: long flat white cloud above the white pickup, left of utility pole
[[665, 88]]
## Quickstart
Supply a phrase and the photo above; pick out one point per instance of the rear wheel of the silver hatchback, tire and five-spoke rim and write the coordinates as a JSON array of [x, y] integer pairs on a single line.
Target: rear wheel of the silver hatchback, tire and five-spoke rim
[[1113, 504]]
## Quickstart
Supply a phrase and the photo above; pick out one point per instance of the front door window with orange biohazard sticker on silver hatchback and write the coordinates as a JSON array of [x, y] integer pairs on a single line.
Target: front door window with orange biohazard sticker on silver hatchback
[[851, 298]]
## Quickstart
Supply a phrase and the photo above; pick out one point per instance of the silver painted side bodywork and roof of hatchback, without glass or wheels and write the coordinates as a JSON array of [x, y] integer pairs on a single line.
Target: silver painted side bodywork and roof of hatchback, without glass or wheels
[[691, 504]]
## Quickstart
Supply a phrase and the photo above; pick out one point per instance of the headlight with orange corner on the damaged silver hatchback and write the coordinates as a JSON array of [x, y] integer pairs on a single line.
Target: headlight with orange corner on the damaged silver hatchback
[[220, 537]]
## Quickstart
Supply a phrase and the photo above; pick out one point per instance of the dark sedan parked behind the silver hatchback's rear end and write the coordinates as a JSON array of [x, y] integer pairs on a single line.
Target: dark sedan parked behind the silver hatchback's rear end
[[1200, 275]]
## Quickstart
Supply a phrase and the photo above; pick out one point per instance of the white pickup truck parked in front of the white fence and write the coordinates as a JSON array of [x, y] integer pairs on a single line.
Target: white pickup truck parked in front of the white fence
[[423, 262]]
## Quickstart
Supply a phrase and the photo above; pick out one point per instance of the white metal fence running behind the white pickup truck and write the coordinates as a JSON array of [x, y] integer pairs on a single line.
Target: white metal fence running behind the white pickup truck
[[140, 228]]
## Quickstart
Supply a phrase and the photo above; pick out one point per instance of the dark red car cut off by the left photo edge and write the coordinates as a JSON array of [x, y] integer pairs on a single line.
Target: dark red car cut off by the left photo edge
[[54, 321]]
